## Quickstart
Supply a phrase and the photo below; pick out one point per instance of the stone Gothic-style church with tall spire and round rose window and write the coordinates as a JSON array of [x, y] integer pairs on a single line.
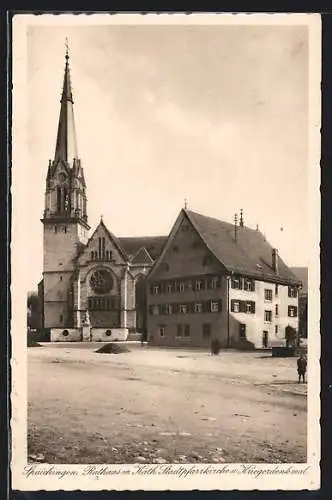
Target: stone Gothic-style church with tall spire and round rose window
[[93, 285]]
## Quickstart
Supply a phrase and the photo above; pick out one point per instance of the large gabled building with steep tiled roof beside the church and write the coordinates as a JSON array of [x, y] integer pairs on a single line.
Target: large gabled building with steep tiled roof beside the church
[[219, 280]]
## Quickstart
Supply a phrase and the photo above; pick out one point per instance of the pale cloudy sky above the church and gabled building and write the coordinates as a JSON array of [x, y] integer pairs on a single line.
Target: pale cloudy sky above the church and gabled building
[[214, 114]]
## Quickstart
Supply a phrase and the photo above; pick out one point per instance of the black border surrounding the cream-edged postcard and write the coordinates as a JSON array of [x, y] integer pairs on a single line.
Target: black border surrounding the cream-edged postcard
[[36, 6]]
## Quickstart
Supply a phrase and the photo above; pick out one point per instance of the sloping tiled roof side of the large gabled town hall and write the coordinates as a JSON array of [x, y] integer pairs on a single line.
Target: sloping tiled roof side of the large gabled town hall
[[250, 254]]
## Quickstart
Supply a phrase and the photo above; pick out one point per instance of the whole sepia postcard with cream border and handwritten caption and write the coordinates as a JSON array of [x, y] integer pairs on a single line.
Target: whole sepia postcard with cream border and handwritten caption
[[165, 264]]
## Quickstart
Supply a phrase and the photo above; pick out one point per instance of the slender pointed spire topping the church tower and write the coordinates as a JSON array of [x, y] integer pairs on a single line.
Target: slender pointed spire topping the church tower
[[66, 148]]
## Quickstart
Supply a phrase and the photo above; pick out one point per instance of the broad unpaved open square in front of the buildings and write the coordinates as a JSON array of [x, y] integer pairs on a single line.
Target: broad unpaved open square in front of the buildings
[[156, 406]]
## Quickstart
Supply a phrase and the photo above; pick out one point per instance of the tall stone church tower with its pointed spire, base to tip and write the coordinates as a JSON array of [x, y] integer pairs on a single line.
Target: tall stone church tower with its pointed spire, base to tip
[[65, 218]]
